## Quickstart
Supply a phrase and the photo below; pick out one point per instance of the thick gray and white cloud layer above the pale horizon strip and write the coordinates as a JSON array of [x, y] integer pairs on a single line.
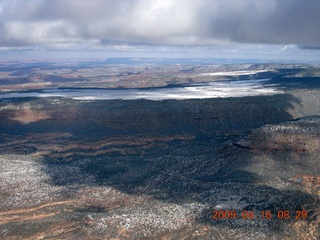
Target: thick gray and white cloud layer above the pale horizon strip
[[158, 22]]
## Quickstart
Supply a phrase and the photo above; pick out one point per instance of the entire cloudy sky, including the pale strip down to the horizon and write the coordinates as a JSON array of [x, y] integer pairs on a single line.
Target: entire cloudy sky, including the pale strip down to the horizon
[[268, 29]]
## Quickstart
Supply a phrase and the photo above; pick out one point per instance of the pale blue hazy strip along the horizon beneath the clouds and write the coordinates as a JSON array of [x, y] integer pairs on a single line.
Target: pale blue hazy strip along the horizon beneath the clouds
[[56, 56]]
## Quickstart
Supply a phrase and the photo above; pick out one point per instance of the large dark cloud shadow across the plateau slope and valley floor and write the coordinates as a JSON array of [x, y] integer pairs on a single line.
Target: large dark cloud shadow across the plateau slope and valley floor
[[206, 170]]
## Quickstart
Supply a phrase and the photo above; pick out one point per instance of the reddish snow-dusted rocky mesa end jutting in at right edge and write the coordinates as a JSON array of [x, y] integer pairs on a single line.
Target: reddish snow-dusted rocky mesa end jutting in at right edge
[[283, 150]]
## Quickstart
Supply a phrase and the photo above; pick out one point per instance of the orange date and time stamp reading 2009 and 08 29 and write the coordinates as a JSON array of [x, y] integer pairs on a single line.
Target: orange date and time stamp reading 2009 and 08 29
[[264, 214]]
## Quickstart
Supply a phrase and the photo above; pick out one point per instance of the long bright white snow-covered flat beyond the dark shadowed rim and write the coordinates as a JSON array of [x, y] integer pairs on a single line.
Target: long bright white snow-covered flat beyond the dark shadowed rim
[[216, 89]]
